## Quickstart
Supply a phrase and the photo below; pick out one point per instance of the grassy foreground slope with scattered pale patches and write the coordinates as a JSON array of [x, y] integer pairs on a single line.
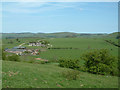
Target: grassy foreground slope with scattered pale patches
[[26, 75]]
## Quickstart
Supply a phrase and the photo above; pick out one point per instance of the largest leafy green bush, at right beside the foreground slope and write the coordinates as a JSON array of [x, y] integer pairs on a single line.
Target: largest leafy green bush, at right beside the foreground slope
[[100, 62]]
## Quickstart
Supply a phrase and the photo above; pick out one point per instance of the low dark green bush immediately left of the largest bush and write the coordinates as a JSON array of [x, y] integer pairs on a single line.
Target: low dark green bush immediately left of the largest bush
[[69, 63]]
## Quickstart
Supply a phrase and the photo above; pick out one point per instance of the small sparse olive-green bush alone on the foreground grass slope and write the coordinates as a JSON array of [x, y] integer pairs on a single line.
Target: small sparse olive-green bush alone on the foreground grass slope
[[71, 74]]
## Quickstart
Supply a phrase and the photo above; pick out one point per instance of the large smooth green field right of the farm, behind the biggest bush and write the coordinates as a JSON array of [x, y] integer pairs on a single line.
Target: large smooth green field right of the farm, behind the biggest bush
[[83, 45]]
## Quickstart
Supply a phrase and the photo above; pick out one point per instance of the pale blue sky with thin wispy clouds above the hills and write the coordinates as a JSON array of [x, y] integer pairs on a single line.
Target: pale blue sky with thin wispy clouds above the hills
[[49, 17]]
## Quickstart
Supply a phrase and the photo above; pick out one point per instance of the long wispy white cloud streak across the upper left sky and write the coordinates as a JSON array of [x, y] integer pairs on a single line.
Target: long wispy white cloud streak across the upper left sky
[[34, 7]]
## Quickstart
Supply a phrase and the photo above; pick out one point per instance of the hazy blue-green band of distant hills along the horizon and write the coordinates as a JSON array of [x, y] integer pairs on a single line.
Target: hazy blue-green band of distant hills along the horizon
[[51, 35]]
